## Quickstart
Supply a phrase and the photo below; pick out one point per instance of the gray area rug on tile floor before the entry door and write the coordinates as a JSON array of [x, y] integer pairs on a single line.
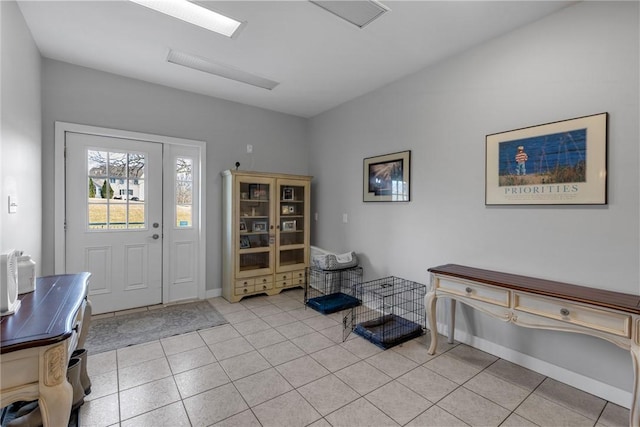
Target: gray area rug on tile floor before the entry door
[[129, 329]]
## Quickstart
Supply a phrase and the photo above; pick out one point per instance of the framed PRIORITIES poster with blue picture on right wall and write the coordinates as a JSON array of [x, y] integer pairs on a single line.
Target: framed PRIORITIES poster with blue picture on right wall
[[558, 163]]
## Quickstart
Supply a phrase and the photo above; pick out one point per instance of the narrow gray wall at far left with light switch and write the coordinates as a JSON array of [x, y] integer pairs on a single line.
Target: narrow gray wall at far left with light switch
[[20, 135]]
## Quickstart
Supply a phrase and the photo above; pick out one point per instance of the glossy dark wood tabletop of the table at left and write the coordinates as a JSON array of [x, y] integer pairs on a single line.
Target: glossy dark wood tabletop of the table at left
[[46, 315]]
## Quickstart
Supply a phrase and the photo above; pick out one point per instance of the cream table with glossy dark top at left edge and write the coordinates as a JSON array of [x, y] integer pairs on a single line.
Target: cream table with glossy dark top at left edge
[[37, 341]]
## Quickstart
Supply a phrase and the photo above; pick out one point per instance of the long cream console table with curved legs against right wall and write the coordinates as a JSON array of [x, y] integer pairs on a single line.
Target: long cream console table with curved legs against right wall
[[542, 304]]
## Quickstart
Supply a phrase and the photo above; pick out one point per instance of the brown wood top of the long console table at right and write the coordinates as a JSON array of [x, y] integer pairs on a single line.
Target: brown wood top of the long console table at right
[[599, 297]]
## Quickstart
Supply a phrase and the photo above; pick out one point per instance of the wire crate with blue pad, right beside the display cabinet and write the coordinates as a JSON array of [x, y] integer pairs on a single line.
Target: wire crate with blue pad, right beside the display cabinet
[[330, 291]]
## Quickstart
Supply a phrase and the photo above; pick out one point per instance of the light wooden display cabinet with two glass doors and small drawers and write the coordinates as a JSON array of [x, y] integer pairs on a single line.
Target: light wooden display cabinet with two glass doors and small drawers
[[265, 228]]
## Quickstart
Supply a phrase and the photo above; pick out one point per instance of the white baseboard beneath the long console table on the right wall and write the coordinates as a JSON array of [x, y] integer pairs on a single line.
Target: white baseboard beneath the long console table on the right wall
[[605, 391]]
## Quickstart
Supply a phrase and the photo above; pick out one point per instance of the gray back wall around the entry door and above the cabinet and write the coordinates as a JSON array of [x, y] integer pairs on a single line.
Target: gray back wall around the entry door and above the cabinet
[[81, 95]]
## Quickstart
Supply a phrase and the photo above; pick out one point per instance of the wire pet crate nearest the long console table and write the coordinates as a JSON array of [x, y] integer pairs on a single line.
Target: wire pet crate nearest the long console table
[[392, 311]]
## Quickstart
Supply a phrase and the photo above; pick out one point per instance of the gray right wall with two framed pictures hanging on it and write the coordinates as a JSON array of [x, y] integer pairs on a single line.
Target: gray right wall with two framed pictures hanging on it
[[582, 60]]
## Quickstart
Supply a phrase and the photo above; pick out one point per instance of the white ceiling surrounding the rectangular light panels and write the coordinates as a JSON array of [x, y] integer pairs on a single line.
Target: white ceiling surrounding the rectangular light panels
[[319, 60]]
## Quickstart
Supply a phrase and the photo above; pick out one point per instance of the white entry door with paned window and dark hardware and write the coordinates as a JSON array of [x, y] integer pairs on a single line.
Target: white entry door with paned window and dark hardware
[[114, 213]]
